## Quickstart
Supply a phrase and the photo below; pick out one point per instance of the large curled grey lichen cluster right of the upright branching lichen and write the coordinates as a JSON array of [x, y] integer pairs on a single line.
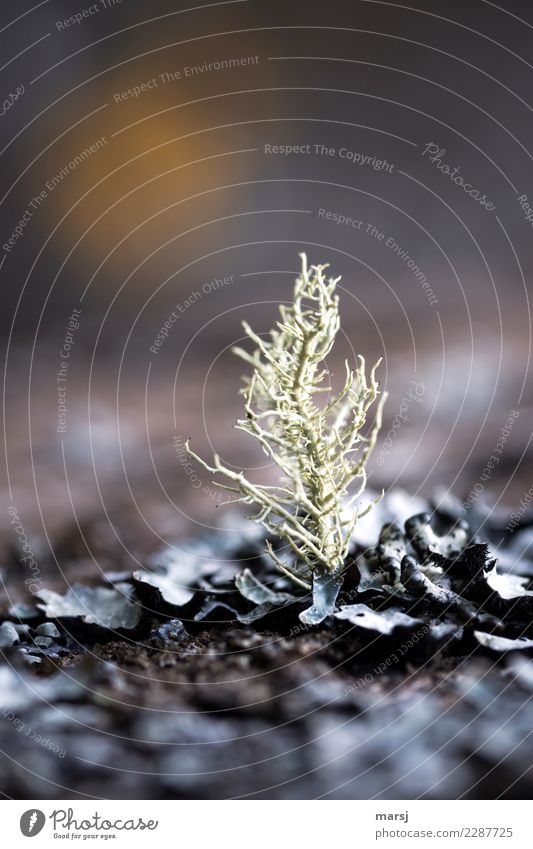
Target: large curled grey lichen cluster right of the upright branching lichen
[[463, 589]]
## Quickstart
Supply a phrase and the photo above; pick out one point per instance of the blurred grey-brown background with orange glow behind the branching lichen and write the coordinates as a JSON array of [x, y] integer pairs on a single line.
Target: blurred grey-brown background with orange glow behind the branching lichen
[[163, 166]]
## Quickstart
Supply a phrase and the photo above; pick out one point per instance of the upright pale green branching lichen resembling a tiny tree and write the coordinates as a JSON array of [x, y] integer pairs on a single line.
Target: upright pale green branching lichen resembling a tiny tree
[[319, 448]]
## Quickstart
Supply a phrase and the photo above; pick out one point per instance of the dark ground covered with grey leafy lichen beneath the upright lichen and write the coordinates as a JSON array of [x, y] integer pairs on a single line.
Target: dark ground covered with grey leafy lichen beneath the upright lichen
[[176, 681]]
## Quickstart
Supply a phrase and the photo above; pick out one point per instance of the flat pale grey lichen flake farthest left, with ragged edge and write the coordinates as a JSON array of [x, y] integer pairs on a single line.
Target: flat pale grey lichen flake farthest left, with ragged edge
[[108, 608]]
